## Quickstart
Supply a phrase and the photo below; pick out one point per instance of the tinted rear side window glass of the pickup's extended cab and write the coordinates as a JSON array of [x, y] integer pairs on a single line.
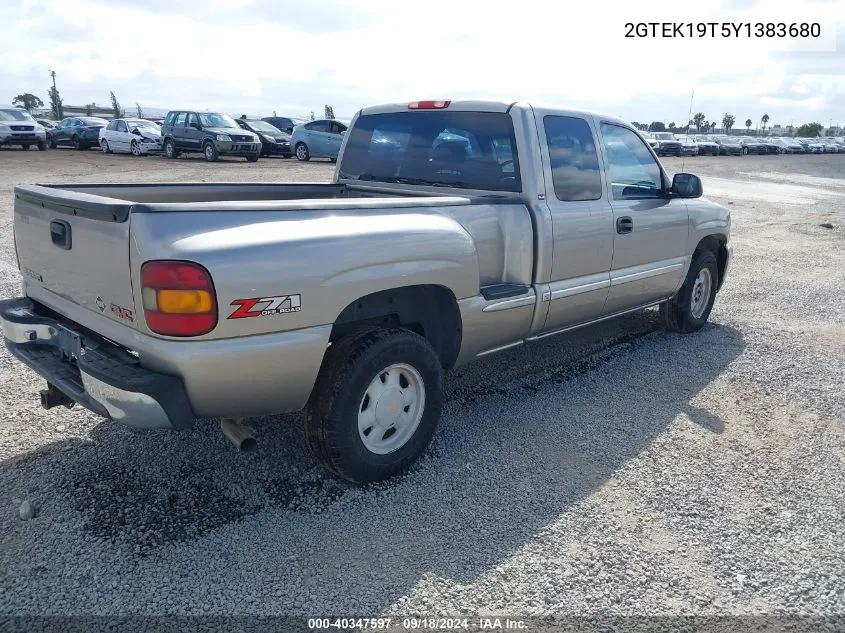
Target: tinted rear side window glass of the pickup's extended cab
[[574, 159]]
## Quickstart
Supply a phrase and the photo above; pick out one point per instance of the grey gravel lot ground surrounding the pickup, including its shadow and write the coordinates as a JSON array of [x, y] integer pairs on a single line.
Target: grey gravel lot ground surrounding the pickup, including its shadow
[[617, 470]]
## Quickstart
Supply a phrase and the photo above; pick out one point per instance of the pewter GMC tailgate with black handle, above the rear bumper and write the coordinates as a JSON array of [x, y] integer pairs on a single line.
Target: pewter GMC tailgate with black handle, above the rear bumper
[[75, 246]]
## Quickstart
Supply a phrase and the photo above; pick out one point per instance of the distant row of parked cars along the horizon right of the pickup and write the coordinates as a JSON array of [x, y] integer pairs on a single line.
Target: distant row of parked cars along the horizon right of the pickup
[[669, 144]]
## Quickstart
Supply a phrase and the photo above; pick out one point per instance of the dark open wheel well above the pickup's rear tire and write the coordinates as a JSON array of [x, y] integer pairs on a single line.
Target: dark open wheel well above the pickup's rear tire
[[430, 311]]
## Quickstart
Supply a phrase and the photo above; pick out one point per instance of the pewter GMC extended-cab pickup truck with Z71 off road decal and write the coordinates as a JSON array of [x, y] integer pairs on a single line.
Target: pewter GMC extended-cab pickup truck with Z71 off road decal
[[451, 230]]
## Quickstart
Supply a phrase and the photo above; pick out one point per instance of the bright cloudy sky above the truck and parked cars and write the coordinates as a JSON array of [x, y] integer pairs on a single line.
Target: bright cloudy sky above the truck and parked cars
[[294, 56]]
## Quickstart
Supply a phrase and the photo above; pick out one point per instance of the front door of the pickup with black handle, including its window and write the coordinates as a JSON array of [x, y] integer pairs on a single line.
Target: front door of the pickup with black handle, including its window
[[650, 228]]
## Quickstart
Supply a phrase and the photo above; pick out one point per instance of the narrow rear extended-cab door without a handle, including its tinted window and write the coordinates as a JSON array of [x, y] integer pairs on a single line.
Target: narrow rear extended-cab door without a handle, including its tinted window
[[582, 220]]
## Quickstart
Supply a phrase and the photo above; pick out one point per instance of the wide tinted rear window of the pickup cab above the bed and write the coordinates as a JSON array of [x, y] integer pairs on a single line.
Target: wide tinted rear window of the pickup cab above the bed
[[468, 150]]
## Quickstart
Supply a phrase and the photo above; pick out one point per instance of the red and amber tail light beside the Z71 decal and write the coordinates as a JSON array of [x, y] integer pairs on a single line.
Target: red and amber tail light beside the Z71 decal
[[178, 298]]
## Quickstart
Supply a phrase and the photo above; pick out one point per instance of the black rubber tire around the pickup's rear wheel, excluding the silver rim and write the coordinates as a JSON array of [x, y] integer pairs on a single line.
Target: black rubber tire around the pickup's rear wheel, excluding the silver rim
[[331, 416]]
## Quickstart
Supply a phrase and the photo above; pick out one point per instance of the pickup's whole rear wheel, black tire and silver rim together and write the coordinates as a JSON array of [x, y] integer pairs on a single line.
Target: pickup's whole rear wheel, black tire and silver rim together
[[376, 404]]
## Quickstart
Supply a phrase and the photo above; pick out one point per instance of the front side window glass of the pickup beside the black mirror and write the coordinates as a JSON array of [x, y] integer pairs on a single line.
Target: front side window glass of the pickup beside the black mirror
[[633, 171]]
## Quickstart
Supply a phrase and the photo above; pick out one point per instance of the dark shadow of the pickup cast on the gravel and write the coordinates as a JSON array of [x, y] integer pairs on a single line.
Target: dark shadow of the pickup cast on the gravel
[[524, 436]]
